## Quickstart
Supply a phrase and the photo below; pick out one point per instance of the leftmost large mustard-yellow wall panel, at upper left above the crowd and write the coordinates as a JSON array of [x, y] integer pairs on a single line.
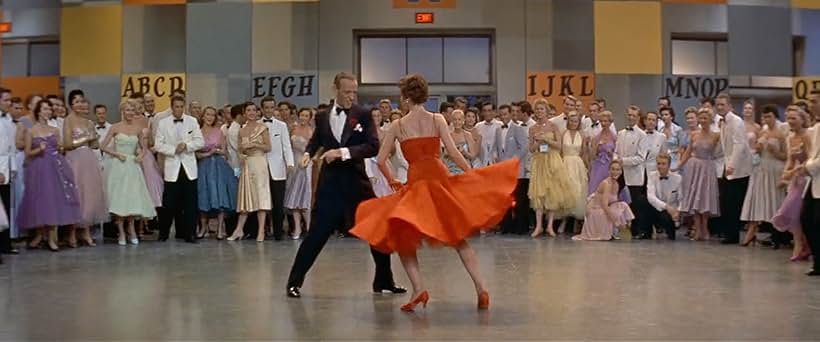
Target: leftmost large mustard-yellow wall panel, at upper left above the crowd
[[91, 40]]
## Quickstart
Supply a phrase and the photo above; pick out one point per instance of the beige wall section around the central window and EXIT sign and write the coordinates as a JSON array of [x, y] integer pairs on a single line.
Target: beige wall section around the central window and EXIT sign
[[338, 19]]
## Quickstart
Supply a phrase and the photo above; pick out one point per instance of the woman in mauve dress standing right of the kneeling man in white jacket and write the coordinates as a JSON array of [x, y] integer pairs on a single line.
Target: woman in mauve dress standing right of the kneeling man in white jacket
[[701, 197]]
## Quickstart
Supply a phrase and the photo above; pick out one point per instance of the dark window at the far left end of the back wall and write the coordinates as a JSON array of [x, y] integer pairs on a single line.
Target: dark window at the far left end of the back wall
[[31, 59]]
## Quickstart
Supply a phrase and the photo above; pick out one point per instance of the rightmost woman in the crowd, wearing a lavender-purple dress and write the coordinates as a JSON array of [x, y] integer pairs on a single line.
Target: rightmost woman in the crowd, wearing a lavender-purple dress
[[788, 216]]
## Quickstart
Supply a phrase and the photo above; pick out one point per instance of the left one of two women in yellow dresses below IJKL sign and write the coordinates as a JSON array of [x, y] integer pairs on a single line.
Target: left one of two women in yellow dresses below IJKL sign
[[550, 190]]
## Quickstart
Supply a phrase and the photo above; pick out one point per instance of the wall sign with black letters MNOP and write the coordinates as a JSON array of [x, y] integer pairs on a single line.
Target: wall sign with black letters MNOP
[[688, 90]]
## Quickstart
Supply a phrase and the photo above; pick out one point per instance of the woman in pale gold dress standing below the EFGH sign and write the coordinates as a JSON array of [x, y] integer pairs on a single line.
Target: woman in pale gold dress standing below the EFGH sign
[[254, 179]]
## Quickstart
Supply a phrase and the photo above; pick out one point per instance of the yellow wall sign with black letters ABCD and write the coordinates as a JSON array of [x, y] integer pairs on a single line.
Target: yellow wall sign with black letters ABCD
[[158, 85]]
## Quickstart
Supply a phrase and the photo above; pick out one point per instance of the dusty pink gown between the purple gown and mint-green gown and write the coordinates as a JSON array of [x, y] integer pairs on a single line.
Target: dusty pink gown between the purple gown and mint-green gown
[[89, 181]]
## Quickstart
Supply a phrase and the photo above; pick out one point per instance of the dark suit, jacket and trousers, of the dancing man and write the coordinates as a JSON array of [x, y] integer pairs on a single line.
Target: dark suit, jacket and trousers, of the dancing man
[[341, 187]]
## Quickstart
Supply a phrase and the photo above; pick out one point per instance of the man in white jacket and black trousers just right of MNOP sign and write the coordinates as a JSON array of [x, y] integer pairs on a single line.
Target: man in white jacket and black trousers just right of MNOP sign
[[737, 157]]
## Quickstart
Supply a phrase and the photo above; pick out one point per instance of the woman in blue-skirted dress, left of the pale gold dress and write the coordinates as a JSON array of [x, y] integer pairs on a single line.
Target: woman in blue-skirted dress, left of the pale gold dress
[[216, 184]]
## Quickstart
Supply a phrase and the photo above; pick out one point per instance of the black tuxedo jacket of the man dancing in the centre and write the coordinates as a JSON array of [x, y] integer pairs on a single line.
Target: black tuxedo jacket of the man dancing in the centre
[[342, 185]]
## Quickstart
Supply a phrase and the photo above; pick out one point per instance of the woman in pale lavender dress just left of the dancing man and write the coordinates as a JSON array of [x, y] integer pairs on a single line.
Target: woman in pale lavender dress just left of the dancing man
[[298, 190]]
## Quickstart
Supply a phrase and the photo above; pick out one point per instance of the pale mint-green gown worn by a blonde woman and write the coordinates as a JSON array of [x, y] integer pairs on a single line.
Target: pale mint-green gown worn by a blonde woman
[[124, 182]]
